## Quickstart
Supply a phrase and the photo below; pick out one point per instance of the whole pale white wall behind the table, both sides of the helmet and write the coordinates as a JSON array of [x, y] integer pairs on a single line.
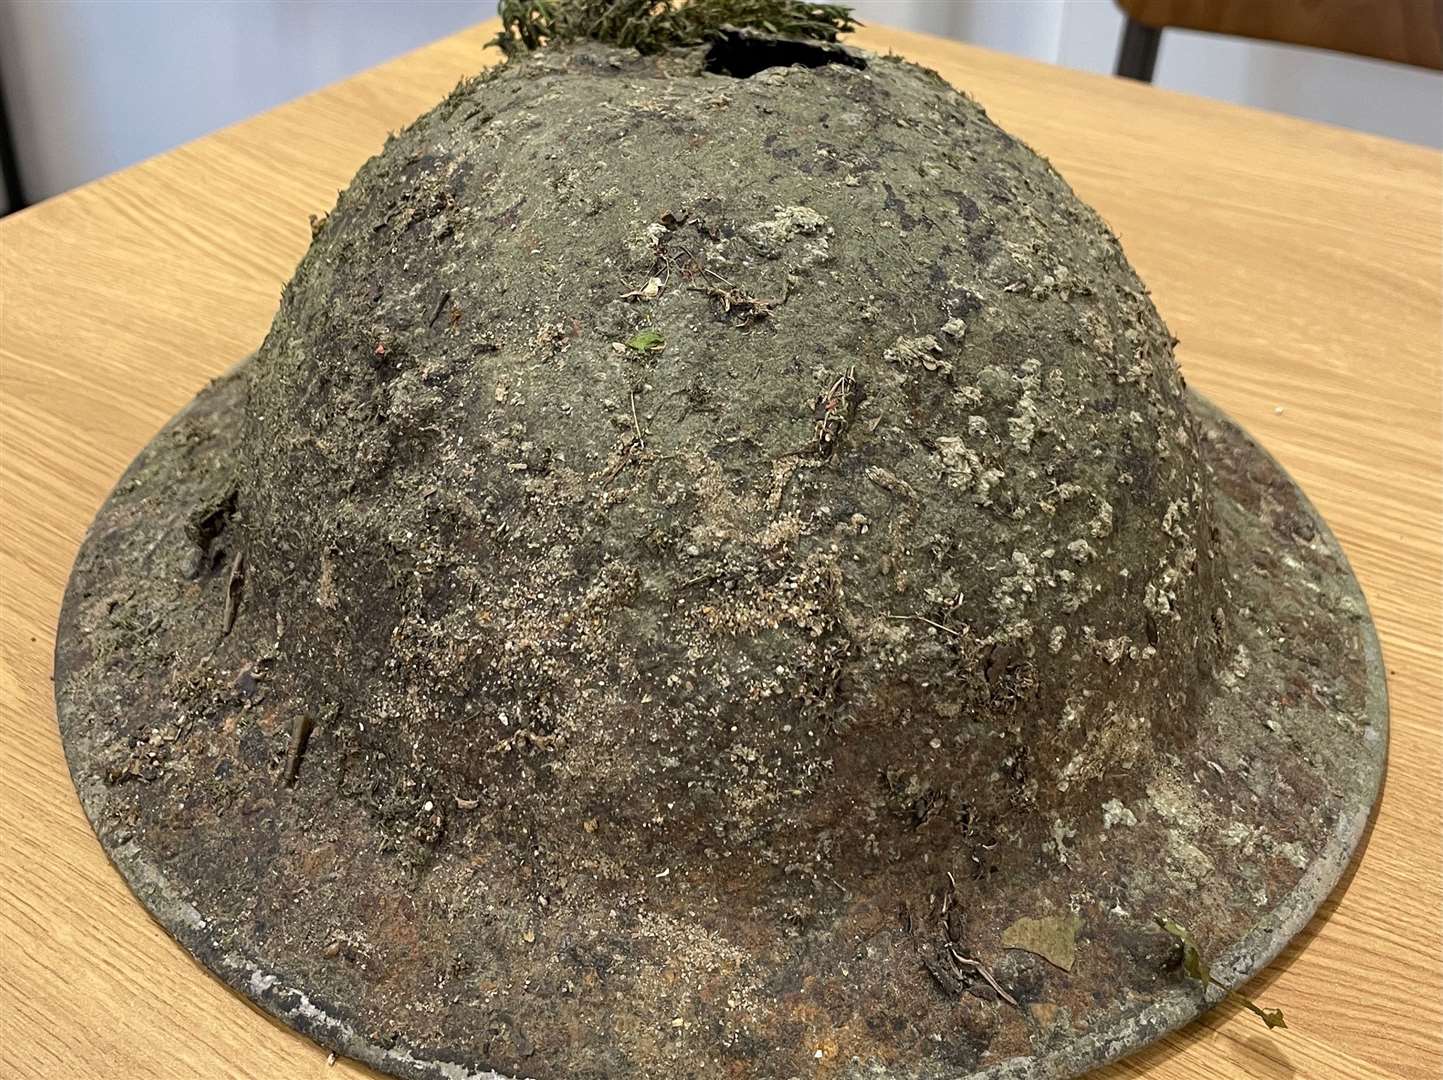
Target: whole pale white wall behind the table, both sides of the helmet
[[95, 86]]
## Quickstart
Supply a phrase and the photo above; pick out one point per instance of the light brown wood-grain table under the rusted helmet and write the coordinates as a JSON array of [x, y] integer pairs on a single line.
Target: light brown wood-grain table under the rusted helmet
[[1299, 265]]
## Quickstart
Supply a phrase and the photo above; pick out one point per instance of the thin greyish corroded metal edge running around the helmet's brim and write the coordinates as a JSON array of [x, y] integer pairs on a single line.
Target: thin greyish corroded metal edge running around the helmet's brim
[[1115, 1035]]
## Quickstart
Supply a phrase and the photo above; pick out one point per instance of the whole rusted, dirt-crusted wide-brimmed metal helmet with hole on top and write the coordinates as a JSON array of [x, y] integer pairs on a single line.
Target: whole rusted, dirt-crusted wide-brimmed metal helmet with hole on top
[[715, 572]]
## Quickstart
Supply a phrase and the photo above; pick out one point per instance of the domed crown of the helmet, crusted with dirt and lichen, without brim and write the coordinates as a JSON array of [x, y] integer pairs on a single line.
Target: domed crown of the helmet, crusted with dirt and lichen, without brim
[[579, 531]]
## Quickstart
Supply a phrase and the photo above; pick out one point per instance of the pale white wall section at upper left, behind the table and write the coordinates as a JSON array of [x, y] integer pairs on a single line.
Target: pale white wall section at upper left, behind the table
[[93, 86]]
